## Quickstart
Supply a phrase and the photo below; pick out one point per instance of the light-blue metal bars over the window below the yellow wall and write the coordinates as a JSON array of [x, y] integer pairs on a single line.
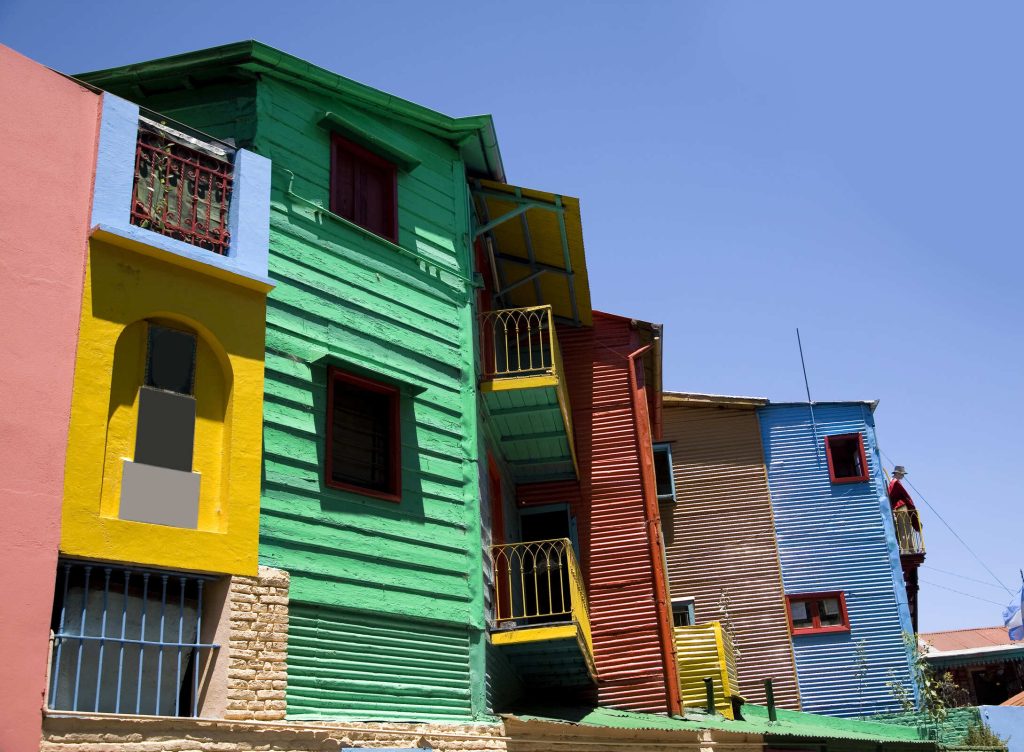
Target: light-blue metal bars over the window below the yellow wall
[[127, 641]]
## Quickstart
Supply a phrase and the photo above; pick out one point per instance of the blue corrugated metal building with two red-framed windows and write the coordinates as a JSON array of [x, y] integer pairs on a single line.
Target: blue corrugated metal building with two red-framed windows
[[840, 558]]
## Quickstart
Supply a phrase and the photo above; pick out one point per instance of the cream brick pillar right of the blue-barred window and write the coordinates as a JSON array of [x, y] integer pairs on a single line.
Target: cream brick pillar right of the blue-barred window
[[258, 647]]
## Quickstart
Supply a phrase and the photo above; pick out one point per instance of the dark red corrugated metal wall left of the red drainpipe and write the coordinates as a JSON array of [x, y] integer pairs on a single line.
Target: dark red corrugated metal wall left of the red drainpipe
[[612, 517]]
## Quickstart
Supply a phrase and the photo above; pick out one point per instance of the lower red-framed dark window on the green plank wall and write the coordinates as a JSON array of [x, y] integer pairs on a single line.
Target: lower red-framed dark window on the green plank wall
[[364, 445]]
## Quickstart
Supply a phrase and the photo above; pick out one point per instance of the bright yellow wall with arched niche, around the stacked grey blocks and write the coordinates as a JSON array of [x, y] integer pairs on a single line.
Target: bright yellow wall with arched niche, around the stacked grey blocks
[[124, 290]]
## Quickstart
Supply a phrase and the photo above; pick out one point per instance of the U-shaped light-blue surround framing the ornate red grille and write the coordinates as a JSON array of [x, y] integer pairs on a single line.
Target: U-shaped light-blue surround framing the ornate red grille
[[249, 221]]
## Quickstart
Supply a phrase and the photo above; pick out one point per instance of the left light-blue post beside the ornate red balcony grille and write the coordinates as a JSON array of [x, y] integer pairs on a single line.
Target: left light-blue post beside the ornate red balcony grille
[[115, 162]]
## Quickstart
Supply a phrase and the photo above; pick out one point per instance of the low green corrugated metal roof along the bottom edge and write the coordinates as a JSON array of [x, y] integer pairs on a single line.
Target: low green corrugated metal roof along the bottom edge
[[791, 725]]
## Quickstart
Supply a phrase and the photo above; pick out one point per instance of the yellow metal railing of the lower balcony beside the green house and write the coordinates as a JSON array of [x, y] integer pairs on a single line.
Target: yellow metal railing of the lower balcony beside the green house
[[539, 582]]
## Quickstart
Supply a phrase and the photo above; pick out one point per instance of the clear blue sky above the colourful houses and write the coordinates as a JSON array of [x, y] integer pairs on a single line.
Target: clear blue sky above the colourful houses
[[745, 169]]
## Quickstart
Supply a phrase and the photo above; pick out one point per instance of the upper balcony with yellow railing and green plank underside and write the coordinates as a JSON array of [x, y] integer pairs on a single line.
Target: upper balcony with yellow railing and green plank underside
[[526, 395]]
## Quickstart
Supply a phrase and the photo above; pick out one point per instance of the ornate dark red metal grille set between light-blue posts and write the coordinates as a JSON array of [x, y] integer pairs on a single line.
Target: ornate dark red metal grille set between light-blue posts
[[183, 187]]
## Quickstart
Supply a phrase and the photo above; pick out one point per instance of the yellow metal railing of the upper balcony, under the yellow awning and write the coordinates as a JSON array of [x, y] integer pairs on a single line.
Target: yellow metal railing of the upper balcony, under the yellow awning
[[520, 343]]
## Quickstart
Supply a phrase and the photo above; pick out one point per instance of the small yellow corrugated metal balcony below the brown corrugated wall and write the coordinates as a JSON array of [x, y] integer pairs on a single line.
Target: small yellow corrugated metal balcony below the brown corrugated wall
[[706, 652]]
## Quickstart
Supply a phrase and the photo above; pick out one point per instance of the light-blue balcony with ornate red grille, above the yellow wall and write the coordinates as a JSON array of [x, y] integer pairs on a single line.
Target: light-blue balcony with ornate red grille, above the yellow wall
[[167, 191]]
